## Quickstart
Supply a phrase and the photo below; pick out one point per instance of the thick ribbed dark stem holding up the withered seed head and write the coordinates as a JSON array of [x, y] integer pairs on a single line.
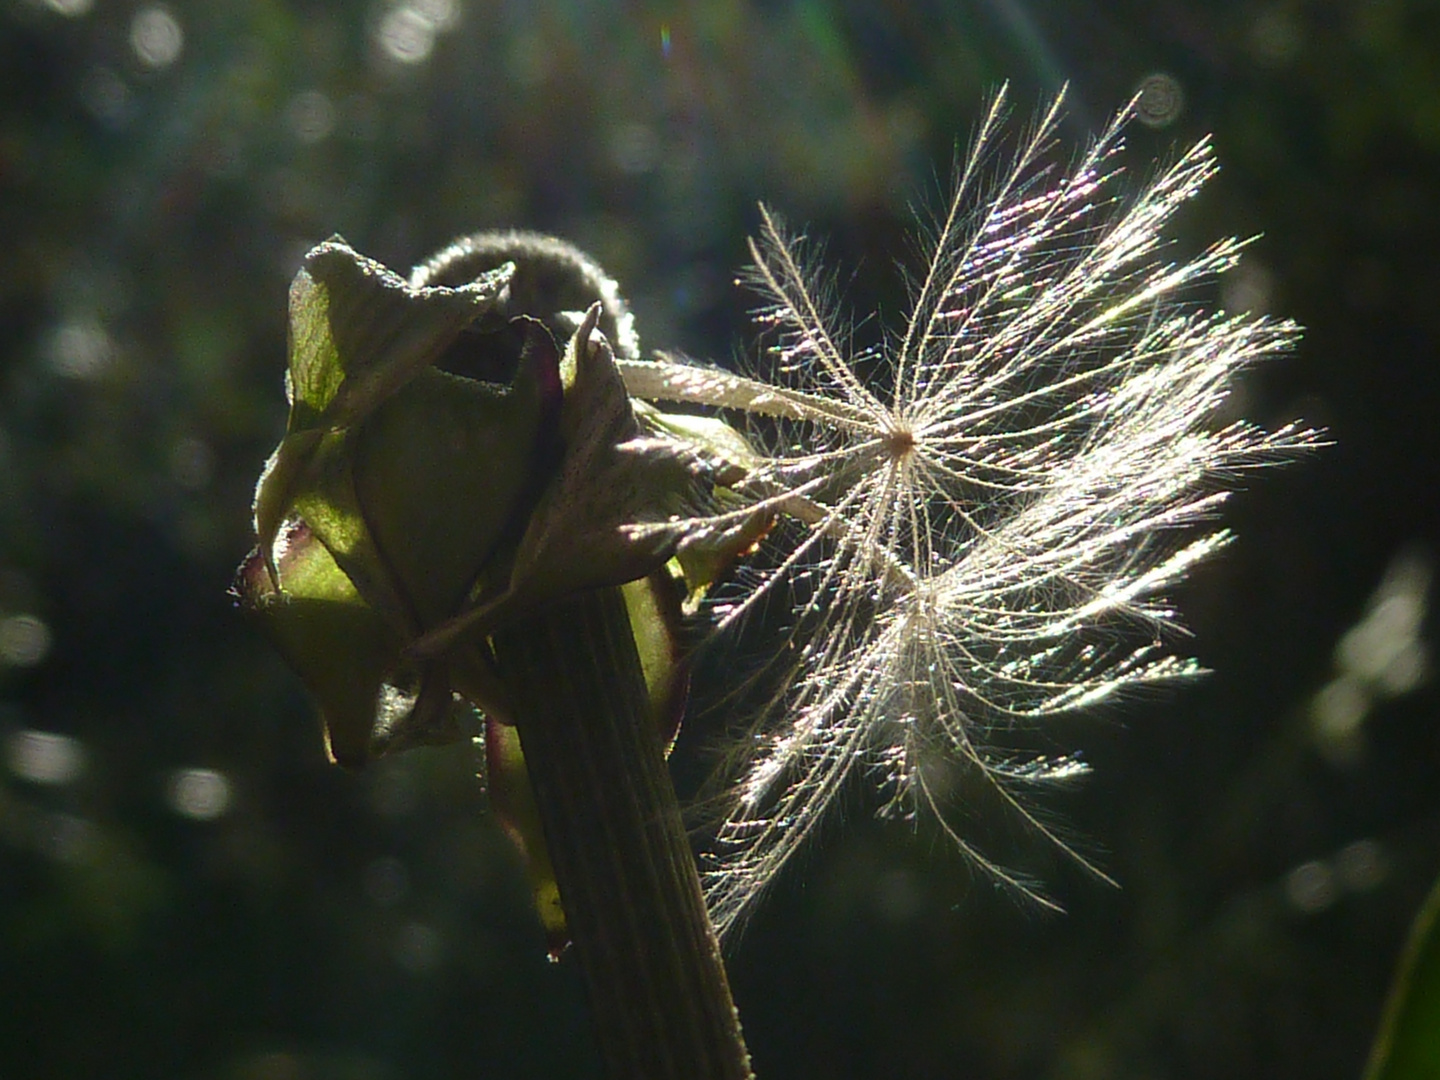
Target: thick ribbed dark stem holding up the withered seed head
[[629, 883]]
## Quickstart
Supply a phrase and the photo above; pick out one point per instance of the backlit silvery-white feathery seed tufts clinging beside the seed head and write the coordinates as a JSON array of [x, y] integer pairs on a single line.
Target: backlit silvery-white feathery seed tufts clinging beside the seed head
[[984, 531]]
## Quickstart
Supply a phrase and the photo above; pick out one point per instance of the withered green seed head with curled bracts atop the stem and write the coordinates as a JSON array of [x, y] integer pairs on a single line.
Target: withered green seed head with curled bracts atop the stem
[[447, 469]]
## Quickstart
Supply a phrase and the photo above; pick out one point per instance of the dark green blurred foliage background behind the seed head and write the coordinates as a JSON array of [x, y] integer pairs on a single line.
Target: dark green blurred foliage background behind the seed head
[[188, 889]]
